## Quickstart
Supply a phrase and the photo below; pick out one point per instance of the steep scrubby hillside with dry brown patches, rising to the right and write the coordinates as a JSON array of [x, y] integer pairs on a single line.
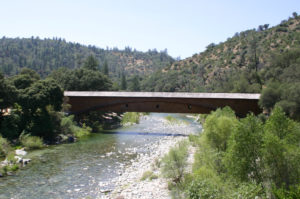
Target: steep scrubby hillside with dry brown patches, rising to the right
[[240, 64]]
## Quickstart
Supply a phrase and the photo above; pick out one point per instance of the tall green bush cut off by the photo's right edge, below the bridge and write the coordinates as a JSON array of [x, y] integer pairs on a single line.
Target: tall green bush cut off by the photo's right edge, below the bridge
[[281, 152]]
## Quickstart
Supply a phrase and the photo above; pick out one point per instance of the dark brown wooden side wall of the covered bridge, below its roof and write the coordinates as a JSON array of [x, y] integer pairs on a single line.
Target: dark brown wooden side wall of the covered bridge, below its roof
[[84, 103]]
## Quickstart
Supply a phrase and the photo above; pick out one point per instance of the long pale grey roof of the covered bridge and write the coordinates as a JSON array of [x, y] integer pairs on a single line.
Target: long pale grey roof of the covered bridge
[[249, 96]]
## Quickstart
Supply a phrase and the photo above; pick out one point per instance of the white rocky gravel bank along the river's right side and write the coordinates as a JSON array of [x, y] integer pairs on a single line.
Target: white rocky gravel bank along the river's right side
[[130, 185]]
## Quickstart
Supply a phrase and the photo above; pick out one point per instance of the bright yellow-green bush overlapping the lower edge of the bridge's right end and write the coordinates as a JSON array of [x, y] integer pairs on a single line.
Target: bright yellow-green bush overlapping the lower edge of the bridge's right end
[[218, 127]]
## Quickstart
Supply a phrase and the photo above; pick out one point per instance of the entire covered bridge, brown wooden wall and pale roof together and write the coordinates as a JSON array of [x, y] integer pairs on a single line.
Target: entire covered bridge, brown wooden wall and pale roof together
[[167, 102]]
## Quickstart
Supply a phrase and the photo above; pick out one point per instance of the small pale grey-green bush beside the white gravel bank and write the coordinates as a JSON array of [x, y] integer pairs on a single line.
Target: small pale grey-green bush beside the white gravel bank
[[174, 162]]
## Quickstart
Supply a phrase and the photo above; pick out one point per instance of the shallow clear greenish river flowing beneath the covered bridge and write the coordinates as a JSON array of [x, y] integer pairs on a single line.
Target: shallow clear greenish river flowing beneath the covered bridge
[[86, 168]]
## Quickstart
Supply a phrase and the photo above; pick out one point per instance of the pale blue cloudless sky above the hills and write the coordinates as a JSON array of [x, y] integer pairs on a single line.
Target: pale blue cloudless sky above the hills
[[183, 27]]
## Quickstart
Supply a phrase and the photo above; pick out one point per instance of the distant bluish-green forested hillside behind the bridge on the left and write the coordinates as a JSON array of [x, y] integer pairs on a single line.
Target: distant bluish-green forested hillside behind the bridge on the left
[[46, 55]]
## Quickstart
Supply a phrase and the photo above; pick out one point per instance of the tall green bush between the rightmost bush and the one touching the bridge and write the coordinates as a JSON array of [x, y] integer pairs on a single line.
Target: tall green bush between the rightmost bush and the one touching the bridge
[[245, 149]]
